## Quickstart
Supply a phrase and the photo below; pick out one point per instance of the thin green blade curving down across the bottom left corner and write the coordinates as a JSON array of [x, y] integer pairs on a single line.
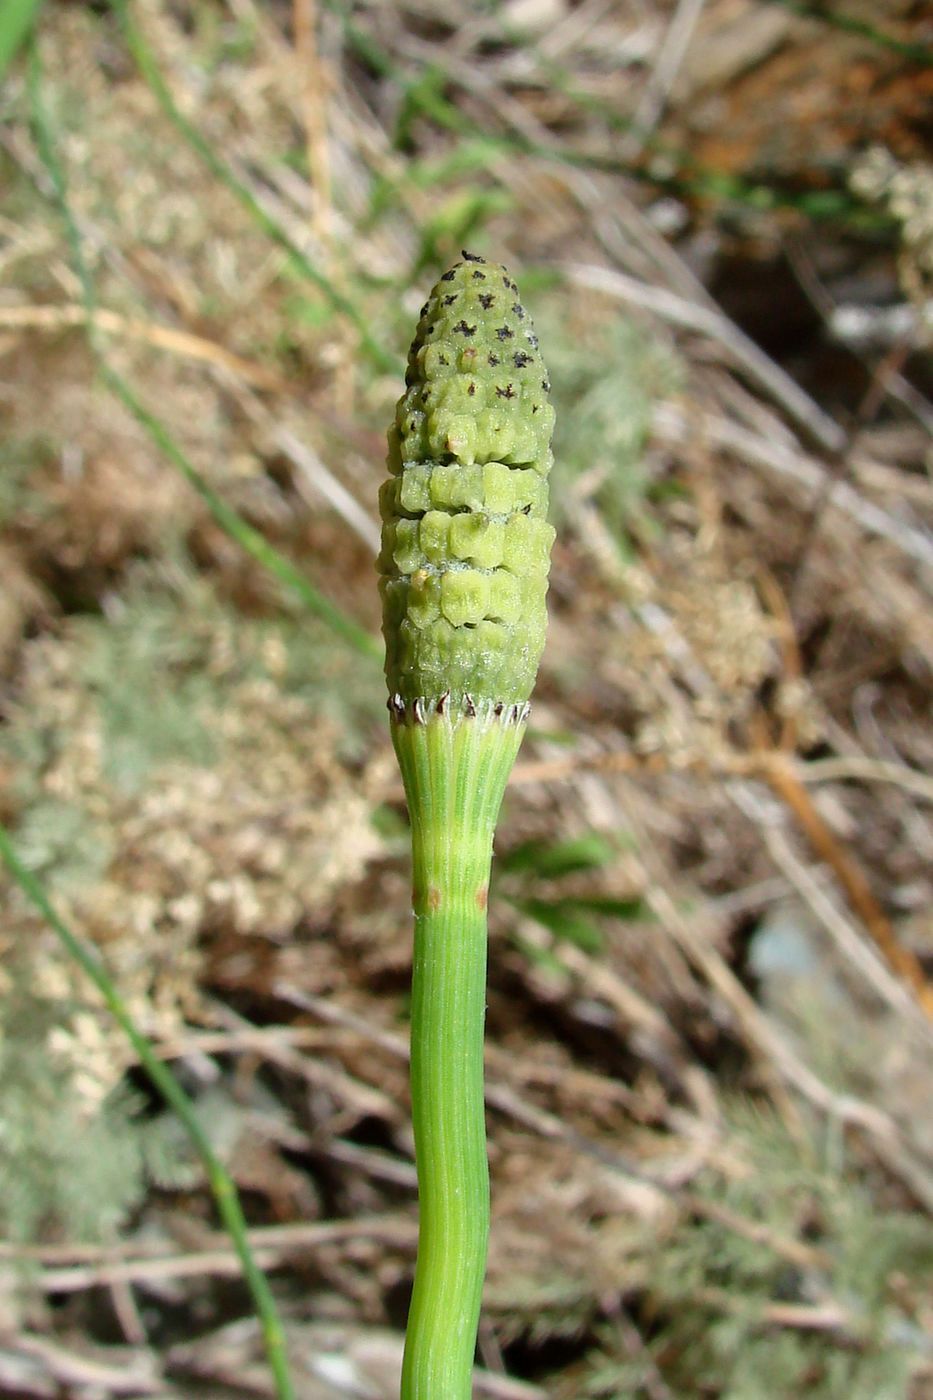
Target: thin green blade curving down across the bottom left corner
[[165, 1081]]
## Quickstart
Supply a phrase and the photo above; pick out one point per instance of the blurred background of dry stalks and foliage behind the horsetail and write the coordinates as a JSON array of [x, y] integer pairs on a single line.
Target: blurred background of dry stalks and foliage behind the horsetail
[[710, 1010]]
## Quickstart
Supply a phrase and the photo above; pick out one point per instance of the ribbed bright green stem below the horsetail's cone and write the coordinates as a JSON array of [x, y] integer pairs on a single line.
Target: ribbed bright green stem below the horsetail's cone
[[455, 769]]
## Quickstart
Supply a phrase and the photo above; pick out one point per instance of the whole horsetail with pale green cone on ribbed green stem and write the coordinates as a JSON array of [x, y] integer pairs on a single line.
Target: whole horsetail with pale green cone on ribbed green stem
[[464, 575]]
